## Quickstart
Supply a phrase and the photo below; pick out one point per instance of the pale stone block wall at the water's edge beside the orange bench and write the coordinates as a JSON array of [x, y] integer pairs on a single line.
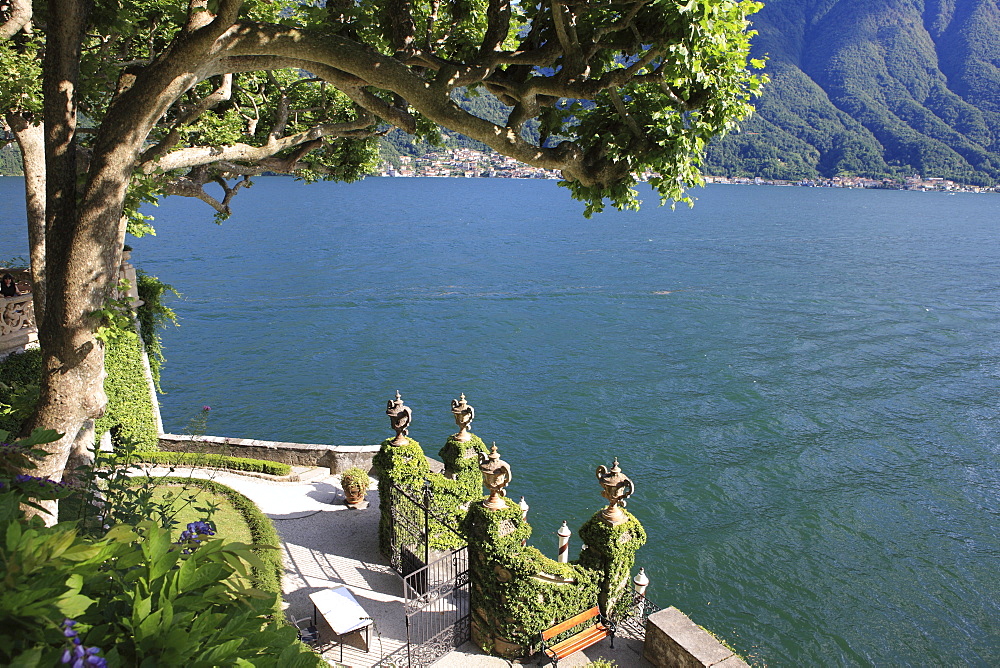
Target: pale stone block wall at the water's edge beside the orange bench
[[674, 641]]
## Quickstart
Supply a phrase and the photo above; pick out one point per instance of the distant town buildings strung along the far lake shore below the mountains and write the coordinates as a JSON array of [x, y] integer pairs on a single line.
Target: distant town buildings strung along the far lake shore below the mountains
[[470, 163]]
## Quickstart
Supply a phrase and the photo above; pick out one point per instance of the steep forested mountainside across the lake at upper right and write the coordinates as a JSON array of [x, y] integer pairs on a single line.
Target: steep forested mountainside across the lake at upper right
[[873, 88]]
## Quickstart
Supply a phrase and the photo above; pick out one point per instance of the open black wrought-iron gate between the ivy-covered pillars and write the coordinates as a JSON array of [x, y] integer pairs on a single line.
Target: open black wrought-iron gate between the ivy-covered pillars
[[435, 583]]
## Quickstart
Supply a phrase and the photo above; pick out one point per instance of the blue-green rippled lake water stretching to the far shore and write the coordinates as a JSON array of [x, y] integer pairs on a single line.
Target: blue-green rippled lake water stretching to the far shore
[[803, 383]]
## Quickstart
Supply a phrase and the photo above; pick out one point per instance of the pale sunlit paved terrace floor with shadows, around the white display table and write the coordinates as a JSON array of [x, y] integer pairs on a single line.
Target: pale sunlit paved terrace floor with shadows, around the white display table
[[325, 543]]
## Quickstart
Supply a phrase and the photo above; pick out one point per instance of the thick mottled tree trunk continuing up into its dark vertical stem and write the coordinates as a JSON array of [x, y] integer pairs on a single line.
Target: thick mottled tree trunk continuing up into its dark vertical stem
[[71, 389]]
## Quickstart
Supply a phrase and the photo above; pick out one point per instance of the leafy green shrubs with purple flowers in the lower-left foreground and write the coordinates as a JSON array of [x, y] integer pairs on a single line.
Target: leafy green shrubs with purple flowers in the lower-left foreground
[[129, 596]]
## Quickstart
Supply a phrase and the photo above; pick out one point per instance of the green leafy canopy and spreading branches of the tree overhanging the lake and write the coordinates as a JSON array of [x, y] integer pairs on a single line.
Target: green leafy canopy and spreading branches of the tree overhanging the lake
[[227, 89]]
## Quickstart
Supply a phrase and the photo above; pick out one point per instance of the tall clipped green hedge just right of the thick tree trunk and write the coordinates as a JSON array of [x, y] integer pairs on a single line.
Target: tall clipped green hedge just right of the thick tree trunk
[[130, 407]]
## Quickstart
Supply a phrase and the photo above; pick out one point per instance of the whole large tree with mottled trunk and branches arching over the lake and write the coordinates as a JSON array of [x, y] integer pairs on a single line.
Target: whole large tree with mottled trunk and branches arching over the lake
[[153, 97]]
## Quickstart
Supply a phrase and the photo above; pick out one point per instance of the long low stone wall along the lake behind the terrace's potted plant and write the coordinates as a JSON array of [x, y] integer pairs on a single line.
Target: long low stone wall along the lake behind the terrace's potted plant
[[337, 457]]
